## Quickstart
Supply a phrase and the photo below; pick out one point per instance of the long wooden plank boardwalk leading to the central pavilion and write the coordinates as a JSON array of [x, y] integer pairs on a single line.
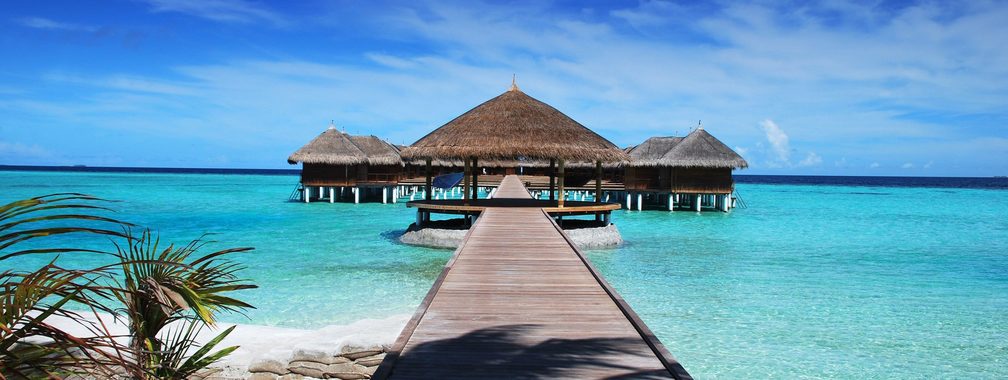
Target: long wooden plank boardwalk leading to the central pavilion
[[519, 301]]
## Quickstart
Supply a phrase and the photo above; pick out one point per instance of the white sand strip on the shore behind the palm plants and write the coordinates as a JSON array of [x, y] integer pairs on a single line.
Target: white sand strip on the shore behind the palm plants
[[268, 342]]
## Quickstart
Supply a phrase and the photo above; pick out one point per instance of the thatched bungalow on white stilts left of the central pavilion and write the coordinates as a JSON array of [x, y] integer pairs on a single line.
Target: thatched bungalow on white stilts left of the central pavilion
[[339, 166]]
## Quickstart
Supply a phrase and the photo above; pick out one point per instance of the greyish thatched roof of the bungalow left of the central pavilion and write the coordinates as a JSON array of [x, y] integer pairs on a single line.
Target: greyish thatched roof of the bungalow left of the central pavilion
[[338, 149]]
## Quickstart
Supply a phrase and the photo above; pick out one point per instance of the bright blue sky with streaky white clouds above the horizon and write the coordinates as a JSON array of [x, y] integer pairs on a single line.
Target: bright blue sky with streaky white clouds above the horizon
[[797, 88]]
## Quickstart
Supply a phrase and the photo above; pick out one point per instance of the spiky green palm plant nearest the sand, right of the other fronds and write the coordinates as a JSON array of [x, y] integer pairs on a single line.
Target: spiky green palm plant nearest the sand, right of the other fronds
[[170, 295]]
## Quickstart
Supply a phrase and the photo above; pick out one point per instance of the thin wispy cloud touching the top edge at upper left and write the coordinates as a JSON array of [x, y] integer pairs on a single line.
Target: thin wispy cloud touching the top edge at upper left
[[233, 12]]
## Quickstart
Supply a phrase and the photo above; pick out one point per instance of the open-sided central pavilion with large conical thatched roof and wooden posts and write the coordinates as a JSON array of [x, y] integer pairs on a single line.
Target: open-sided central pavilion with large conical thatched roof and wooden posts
[[510, 129]]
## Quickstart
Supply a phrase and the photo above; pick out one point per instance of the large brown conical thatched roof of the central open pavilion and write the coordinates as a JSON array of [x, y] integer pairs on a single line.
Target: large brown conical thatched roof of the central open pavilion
[[515, 125]]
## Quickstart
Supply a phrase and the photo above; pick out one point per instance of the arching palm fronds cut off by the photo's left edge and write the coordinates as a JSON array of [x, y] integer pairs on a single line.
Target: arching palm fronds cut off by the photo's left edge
[[31, 346]]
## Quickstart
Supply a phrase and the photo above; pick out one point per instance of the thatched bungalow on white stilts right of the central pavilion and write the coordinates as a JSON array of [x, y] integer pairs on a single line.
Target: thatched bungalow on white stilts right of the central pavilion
[[692, 172]]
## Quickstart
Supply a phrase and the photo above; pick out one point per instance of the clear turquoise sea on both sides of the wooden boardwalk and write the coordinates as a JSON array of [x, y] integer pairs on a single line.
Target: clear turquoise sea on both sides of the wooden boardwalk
[[821, 281]]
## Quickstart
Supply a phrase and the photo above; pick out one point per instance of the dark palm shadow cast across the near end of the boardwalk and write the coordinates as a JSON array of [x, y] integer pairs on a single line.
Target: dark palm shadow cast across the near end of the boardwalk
[[500, 352]]
